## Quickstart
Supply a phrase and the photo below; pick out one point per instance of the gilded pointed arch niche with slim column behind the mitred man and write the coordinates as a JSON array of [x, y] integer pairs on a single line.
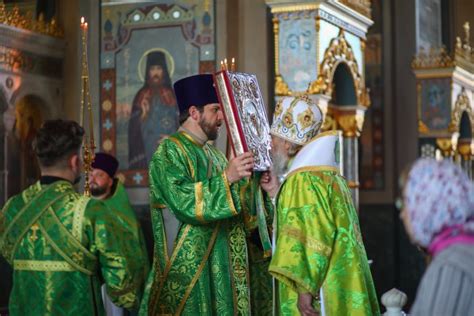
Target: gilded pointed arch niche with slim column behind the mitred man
[[340, 79]]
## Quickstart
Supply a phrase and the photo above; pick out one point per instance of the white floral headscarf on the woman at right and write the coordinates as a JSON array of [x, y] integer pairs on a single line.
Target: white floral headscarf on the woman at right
[[438, 195]]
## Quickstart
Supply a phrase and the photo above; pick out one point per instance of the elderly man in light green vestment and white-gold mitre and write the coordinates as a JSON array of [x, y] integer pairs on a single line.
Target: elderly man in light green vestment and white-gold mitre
[[319, 258]]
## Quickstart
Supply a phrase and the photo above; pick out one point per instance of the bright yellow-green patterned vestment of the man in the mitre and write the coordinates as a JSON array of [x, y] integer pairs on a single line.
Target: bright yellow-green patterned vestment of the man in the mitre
[[319, 244]]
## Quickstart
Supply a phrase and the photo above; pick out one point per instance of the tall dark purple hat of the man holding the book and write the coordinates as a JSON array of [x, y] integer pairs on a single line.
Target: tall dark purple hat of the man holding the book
[[196, 90]]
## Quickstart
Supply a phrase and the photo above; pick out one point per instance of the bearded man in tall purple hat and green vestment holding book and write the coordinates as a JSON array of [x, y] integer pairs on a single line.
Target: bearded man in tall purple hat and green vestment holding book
[[200, 264]]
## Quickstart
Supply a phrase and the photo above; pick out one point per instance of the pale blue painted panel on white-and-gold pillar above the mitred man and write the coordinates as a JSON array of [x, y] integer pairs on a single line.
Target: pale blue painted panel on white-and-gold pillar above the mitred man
[[297, 60]]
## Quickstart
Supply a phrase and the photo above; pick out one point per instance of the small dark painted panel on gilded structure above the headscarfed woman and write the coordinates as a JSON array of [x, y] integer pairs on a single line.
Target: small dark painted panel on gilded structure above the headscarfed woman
[[435, 111]]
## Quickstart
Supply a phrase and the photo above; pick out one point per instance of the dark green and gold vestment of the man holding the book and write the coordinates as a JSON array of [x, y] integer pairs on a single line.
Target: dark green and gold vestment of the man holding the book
[[208, 270]]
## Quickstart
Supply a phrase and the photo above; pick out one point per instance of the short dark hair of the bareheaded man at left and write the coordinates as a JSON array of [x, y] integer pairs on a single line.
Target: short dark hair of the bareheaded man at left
[[56, 141]]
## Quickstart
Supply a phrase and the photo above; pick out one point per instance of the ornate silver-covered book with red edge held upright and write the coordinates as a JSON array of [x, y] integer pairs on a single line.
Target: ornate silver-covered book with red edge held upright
[[245, 116]]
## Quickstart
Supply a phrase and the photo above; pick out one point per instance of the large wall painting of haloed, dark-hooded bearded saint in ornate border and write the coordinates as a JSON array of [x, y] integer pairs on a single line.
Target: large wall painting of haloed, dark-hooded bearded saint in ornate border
[[145, 48]]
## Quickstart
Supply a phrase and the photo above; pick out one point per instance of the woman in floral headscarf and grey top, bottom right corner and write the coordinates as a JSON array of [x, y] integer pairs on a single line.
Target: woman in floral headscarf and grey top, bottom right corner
[[438, 214]]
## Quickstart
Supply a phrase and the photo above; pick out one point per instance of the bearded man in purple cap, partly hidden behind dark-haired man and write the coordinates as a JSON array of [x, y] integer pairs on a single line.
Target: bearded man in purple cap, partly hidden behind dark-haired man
[[106, 187]]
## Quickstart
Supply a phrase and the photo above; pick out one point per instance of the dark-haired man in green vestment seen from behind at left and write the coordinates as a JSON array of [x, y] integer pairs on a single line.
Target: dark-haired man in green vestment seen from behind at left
[[61, 245]]
